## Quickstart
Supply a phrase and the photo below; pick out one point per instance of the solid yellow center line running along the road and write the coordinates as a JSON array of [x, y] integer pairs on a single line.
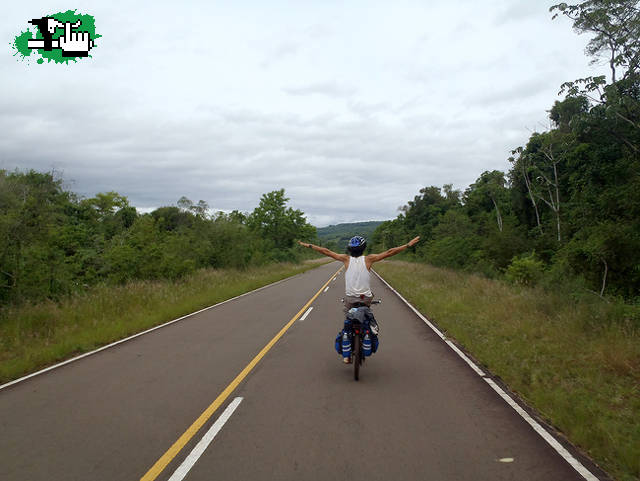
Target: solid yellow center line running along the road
[[173, 451]]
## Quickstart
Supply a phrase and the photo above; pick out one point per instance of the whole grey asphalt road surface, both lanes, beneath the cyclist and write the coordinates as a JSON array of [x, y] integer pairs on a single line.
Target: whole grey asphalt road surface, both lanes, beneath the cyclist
[[418, 411]]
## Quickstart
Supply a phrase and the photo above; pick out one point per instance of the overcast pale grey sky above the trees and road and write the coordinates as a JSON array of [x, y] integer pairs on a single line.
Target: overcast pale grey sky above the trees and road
[[352, 107]]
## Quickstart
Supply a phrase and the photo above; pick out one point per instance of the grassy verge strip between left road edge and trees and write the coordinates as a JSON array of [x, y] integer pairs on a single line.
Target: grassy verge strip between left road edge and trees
[[35, 336]]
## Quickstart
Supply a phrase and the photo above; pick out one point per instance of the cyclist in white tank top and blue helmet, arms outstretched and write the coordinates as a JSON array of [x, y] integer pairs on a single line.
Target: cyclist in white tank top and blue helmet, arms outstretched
[[357, 276]]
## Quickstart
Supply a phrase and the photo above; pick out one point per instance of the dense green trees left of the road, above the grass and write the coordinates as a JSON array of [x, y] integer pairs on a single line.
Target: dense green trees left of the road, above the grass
[[55, 243]]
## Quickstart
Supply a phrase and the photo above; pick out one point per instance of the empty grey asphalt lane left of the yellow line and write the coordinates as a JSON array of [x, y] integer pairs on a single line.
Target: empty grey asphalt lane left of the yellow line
[[112, 415]]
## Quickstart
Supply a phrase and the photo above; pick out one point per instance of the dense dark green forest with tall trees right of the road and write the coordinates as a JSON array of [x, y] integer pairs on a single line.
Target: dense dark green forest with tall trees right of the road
[[568, 210]]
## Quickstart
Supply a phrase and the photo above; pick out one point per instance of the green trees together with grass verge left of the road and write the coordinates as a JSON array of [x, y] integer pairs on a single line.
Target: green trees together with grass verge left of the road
[[77, 273]]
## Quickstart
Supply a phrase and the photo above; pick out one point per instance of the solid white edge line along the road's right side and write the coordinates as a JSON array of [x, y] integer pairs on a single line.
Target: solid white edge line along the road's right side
[[575, 464]]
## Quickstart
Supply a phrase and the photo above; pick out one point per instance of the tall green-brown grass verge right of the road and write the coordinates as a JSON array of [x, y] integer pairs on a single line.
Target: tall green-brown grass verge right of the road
[[575, 359]]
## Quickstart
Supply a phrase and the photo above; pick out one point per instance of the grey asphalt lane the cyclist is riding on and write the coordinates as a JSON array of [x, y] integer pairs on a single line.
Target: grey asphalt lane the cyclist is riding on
[[418, 412]]
